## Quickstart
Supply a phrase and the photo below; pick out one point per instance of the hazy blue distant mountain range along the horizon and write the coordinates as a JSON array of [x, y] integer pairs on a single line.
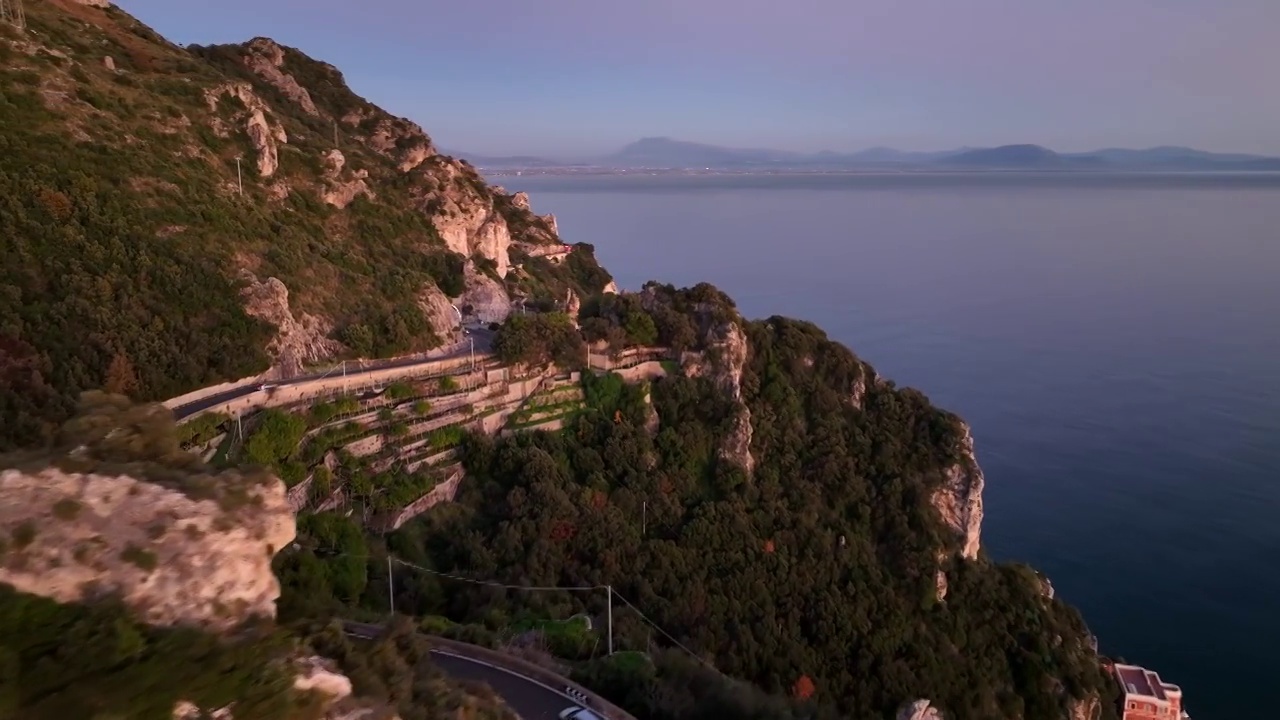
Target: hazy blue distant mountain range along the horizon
[[665, 153]]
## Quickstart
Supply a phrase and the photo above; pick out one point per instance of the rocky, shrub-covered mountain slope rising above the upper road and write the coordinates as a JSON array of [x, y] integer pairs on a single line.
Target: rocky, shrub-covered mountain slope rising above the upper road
[[175, 218]]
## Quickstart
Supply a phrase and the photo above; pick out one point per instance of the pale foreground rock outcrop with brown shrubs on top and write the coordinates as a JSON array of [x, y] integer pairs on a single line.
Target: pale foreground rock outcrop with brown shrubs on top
[[118, 509]]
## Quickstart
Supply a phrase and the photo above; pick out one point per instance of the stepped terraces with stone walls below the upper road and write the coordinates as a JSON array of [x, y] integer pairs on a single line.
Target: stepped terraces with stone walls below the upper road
[[392, 449]]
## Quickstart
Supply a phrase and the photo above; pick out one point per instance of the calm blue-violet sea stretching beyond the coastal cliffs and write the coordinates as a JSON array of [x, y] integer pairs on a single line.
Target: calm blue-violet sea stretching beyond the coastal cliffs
[[1113, 340]]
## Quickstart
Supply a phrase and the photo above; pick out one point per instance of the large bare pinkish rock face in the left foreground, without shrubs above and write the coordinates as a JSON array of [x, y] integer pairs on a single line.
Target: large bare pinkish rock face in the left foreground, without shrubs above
[[173, 560]]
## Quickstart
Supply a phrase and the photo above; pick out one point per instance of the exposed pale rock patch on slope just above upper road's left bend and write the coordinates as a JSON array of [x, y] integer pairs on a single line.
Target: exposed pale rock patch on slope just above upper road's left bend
[[299, 340]]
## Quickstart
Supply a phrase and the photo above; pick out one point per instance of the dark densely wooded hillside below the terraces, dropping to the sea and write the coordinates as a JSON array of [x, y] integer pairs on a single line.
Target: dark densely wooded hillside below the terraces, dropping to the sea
[[825, 575]]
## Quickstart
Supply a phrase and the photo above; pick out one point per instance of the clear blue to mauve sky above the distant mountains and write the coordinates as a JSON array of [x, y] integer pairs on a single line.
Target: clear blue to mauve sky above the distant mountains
[[582, 78]]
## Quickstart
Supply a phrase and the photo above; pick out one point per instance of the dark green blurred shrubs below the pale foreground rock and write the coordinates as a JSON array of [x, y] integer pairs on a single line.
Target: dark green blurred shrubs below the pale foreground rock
[[62, 662]]
